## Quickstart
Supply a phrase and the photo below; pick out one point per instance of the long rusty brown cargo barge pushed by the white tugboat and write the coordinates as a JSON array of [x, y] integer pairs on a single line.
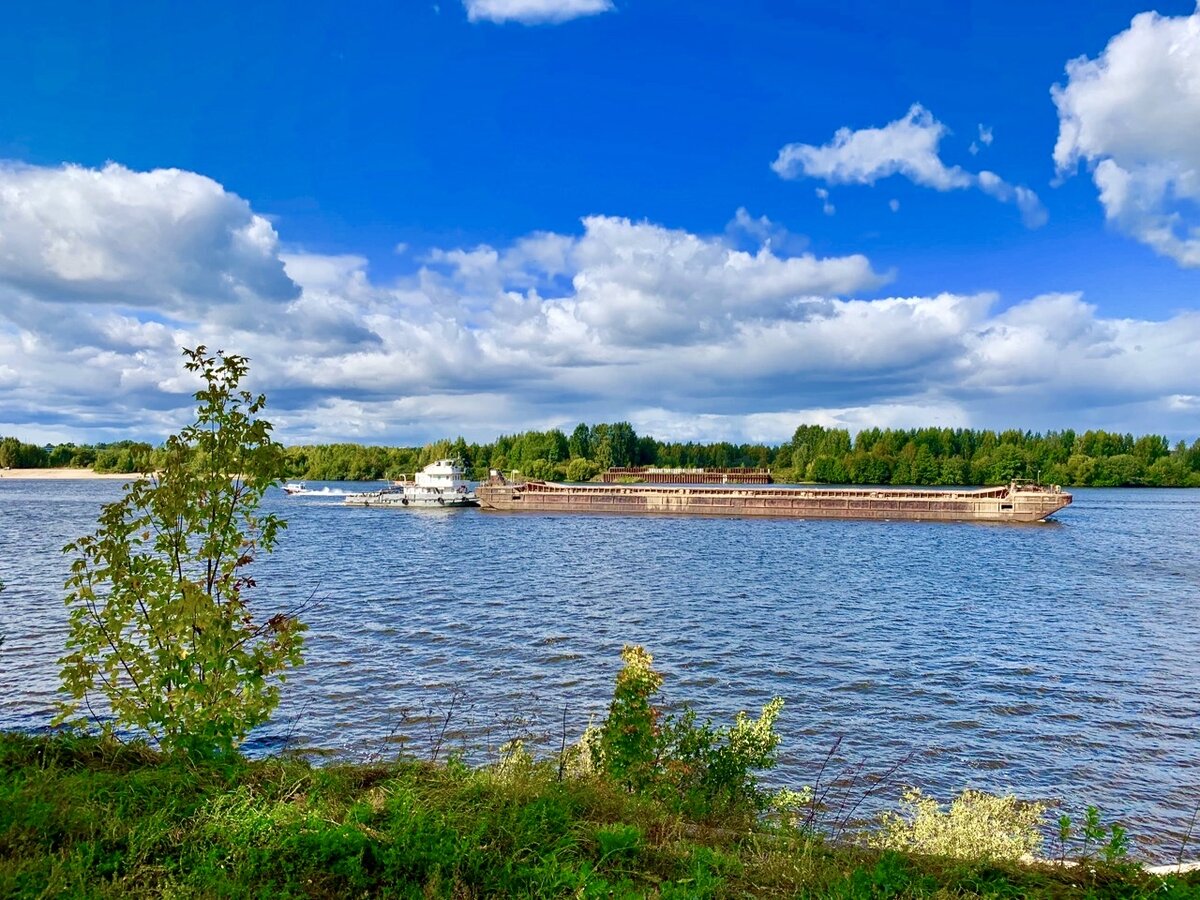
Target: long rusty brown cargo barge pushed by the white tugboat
[[1009, 503]]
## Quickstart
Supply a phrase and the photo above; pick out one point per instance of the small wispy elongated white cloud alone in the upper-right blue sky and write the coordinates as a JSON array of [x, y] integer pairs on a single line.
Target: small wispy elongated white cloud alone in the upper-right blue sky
[[908, 147]]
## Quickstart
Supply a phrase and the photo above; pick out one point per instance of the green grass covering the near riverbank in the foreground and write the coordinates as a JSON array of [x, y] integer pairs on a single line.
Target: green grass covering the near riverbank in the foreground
[[85, 819]]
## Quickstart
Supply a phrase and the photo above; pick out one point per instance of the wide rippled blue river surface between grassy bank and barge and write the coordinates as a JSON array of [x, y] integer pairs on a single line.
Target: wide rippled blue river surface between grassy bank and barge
[[1058, 662]]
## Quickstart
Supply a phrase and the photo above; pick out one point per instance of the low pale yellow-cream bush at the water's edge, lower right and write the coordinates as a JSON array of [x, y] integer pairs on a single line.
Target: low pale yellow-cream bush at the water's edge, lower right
[[977, 826]]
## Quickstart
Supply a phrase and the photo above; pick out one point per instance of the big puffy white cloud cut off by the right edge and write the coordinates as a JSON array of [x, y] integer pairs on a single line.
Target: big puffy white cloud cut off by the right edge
[[1133, 117]]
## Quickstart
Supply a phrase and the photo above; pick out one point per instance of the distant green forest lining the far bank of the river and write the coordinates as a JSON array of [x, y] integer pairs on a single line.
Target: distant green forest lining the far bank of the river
[[875, 457]]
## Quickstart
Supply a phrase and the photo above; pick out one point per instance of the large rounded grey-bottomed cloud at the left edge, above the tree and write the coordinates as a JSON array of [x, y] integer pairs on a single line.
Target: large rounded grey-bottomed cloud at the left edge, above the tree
[[167, 239]]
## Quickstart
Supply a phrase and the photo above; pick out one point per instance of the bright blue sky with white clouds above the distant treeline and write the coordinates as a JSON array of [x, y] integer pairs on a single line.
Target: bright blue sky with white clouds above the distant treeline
[[717, 221]]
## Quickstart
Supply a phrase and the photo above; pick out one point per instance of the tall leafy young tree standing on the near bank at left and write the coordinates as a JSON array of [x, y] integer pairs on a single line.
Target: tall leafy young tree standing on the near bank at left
[[159, 625]]
